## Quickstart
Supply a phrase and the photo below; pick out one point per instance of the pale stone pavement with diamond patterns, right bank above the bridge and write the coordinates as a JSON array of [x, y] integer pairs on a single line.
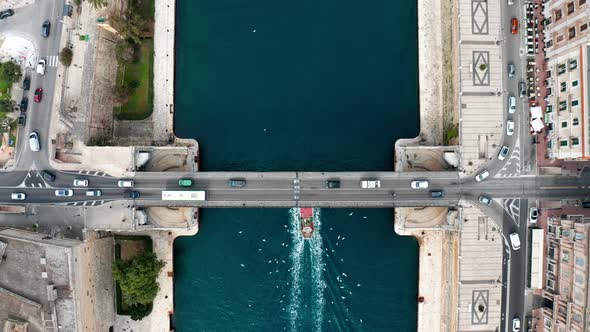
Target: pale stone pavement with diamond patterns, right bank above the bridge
[[481, 96]]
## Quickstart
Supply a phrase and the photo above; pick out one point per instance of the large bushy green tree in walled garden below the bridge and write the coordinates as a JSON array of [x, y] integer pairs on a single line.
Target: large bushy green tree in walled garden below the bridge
[[137, 278]]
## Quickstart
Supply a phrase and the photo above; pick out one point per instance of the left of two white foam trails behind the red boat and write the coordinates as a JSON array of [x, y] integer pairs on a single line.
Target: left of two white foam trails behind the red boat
[[296, 258]]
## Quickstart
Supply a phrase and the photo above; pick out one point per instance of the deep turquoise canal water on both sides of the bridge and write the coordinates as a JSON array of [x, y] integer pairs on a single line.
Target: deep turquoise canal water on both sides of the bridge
[[296, 85]]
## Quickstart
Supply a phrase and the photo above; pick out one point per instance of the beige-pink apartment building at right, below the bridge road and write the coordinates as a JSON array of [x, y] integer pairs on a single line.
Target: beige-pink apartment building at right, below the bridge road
[[566, 277]]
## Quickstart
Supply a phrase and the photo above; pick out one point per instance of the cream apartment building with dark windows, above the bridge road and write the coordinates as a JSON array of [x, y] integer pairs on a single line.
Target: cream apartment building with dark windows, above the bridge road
[[567, 43]]
